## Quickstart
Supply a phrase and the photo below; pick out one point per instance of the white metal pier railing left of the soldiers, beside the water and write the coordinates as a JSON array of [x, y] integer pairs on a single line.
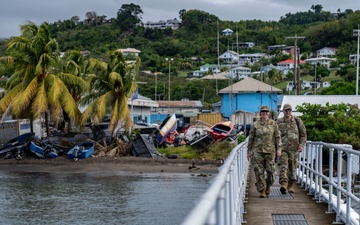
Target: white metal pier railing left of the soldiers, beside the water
[[223, 202]]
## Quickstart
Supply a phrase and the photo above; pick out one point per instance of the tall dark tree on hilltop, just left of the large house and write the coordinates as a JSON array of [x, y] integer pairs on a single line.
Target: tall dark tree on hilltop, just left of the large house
[[128, 16]]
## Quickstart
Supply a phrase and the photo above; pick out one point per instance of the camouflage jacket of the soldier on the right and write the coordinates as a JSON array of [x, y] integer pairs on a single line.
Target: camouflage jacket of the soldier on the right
[[291, 135]]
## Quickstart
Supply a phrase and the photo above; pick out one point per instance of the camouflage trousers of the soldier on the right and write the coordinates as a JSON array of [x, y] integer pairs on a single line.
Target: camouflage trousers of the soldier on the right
[[288, 164]]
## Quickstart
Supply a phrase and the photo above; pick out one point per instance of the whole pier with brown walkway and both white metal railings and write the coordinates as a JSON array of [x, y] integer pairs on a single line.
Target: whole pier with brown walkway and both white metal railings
[[320, 198]]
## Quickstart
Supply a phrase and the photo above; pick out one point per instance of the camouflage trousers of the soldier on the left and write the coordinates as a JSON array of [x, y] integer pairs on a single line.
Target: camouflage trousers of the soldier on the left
[[263, 162]]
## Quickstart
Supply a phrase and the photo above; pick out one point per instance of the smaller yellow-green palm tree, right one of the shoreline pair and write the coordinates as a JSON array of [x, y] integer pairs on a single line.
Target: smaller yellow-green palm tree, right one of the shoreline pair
[[111, 85]]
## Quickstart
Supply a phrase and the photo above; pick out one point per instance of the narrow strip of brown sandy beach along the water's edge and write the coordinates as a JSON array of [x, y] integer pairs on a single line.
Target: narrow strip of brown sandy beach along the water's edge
[[107, 164]]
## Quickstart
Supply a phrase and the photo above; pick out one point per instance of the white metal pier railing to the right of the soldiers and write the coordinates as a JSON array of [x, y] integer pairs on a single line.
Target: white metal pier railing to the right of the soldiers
[[334, 185]]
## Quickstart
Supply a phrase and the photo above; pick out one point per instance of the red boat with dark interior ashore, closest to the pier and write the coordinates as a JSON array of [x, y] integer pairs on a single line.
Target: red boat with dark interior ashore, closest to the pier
[[222, 130]]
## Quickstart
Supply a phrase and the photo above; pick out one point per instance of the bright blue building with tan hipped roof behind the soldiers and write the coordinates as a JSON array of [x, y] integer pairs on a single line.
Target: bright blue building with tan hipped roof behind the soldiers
[[248, 95]]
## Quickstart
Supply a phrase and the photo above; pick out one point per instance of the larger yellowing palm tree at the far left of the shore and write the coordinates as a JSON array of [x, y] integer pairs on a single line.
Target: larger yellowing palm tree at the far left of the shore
[[36, 86]]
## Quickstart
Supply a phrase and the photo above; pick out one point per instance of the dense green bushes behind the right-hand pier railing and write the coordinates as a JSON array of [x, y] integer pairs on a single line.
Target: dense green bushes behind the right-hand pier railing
[[337, 123]]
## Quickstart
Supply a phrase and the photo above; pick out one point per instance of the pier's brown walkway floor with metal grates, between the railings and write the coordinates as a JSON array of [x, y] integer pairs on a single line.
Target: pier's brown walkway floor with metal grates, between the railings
[[284, 209]]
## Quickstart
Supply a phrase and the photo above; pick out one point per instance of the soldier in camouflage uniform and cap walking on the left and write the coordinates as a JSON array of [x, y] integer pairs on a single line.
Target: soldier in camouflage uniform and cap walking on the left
[[264, 140]]
